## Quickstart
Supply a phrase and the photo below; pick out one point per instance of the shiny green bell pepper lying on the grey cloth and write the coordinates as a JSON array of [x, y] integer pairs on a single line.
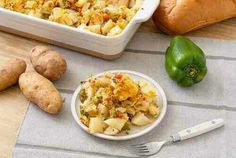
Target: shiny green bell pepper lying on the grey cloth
[[185, 62]]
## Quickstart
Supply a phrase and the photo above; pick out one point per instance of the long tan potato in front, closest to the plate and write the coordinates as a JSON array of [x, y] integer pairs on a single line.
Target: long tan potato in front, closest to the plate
[[41, 91]]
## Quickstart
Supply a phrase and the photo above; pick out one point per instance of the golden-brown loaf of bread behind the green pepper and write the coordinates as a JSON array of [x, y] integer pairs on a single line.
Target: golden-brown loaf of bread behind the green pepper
[[182, 16]]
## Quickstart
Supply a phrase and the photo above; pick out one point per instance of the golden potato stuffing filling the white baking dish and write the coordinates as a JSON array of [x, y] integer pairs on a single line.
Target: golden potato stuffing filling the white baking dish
[[106, 17]]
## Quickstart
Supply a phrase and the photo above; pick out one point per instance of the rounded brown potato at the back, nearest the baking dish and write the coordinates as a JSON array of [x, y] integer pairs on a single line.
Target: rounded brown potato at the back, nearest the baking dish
[[47, 62]]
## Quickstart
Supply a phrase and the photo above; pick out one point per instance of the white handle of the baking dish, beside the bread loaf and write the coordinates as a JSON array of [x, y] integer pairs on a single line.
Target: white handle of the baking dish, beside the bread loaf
[[146, 11]]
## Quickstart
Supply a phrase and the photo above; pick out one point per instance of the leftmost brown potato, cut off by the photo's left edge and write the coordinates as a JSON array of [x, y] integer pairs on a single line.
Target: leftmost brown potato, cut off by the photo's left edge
[[10, 72]]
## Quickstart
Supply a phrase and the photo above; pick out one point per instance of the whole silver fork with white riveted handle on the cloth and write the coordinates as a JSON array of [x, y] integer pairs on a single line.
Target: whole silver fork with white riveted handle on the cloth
[[152, 148]]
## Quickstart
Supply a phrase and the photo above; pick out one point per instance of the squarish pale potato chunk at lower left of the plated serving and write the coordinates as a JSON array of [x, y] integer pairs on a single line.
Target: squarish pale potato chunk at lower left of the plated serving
[[96, 125]]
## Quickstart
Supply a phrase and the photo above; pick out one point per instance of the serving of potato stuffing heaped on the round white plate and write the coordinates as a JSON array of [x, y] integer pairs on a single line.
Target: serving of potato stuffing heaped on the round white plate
[[114, 102]]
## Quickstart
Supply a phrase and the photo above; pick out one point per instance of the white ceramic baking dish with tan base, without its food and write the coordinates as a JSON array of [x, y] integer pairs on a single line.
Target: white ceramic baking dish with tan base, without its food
[[72, 38]]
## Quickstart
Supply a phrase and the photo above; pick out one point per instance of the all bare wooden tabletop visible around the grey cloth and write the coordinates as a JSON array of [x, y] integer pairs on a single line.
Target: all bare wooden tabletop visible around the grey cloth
[[13, 105]]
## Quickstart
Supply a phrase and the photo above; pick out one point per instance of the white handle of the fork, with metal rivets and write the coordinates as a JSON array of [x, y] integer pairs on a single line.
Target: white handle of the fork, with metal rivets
[[200, 129]]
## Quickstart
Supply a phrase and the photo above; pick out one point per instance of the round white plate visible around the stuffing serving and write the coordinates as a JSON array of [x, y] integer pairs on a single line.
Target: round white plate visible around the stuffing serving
[[135, 131]]
